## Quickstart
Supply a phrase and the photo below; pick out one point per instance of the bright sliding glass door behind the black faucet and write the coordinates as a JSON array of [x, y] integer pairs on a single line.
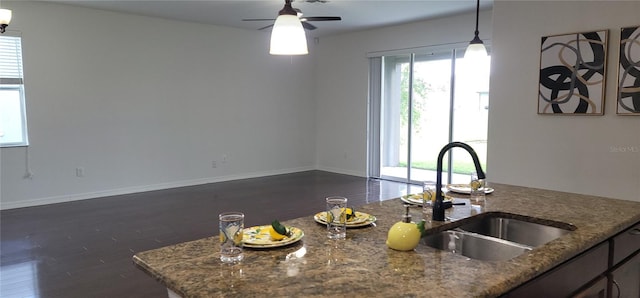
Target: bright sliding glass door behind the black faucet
[[420, 101]]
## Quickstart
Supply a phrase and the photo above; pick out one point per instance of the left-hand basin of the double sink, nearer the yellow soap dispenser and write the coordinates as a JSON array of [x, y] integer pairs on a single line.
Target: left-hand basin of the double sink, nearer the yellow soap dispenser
[[475, 246]]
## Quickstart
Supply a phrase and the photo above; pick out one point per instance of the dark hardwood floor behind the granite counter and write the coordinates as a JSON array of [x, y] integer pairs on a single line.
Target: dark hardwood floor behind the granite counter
[[84, 248]]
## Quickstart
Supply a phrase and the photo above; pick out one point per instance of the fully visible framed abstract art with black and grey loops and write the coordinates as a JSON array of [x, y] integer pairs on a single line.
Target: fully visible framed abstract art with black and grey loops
[[572, 73]]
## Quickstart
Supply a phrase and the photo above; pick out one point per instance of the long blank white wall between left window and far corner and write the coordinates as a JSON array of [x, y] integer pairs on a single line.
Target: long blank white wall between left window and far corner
[[144, 103]]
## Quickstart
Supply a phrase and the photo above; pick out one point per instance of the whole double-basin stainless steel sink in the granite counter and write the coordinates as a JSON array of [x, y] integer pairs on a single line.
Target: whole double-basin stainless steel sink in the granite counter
[[497, 236]]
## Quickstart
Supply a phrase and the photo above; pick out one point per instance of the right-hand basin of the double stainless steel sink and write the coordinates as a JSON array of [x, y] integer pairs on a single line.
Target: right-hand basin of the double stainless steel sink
[[515, 230]]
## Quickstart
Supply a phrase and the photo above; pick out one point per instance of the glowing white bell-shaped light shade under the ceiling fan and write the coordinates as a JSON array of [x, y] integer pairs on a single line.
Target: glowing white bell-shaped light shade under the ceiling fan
[[288, 37]]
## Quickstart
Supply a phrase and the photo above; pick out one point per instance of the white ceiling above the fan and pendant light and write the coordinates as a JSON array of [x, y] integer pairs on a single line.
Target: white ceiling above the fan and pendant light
[[356, 14]]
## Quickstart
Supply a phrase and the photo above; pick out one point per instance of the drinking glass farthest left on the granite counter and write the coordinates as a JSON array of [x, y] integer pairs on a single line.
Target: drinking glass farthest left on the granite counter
[[231, 226]]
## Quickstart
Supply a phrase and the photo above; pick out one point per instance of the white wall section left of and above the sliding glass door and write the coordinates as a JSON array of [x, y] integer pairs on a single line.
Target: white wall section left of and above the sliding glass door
[[342, 70]]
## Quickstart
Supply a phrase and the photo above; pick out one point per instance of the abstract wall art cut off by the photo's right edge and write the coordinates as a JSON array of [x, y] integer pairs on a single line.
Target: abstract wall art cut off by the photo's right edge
[[629, 72]]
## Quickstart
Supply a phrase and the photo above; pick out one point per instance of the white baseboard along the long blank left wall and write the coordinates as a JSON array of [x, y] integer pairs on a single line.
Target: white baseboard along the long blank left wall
[[143, 188]]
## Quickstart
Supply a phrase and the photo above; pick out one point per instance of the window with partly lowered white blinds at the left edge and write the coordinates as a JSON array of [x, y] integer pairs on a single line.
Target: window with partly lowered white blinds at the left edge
[[13, 121]]
